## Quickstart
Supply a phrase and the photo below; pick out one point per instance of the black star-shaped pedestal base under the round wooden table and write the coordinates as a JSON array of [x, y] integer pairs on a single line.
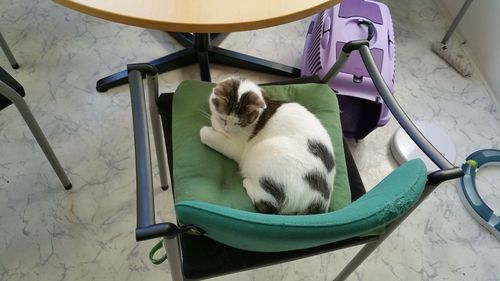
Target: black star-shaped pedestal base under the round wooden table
[[198, 48]]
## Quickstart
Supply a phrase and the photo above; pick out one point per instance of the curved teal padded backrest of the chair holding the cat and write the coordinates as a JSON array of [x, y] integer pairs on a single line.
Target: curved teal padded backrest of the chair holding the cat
[[270, 233]]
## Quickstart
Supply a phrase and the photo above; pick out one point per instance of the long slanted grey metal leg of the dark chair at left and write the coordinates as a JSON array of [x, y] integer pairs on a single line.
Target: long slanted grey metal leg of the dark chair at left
[[37, 132]]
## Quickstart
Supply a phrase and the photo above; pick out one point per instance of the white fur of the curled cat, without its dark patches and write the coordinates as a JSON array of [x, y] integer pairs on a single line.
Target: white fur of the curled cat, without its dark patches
[[278, 151]]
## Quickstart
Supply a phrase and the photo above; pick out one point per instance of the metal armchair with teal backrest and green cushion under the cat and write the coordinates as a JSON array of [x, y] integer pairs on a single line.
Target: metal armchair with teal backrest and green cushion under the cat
[[217, 232]]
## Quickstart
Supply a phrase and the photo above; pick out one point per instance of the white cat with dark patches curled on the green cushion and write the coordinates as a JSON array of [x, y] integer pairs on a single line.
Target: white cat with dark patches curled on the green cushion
[[284, 153]]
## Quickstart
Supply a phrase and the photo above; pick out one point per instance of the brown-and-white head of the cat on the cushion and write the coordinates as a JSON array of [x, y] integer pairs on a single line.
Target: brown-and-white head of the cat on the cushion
[[236, 105]]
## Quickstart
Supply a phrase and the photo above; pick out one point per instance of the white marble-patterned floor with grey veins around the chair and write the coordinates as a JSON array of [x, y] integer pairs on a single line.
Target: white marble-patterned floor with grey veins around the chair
[[47, 233]]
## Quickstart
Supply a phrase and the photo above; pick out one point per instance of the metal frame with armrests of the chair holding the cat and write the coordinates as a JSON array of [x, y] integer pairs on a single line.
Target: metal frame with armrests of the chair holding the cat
[[147, 228]]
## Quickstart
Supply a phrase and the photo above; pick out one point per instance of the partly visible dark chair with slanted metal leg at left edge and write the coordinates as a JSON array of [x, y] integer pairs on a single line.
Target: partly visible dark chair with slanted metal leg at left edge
[[11, 92]]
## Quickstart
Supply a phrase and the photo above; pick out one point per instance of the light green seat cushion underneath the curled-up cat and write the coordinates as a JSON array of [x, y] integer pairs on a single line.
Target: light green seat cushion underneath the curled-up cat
[[203, 174]]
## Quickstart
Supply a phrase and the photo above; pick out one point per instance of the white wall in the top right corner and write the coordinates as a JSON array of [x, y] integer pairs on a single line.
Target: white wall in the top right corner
[[480, 27]]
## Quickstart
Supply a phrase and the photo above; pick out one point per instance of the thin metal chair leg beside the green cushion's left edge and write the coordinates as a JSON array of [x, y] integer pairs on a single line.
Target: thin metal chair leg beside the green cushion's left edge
[[158, 132]]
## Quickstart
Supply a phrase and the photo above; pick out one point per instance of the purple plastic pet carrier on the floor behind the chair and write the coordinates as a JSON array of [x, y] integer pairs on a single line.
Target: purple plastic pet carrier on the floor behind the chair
[[362, 109]]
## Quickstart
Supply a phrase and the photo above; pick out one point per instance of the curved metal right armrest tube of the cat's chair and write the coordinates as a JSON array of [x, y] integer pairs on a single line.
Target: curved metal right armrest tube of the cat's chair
[[400, 114]]
